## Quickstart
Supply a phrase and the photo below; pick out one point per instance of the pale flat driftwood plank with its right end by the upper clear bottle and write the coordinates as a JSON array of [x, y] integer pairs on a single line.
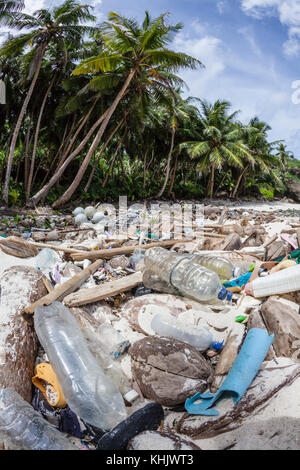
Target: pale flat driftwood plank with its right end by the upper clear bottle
[[109, 289]]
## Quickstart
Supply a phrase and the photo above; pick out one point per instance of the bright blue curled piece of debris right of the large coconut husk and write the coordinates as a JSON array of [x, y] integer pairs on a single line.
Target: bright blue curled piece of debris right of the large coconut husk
[[240, 376]]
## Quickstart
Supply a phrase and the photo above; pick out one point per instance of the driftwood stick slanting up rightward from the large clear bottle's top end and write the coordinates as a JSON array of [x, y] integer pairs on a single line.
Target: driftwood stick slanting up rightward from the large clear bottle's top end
[[66, 288]]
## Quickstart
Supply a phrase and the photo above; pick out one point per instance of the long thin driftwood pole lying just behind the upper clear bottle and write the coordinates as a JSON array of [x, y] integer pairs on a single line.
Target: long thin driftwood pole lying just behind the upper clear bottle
[[124, 250]]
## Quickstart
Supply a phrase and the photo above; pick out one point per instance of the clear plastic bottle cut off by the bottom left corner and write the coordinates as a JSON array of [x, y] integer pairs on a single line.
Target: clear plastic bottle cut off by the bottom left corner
[[23, 428]]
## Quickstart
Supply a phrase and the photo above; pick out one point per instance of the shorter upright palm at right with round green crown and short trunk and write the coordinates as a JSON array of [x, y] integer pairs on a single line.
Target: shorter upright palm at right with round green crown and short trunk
[[219, 140]]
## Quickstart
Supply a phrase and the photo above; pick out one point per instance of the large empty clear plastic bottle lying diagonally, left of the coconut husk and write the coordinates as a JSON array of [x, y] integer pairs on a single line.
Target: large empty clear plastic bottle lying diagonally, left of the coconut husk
[[89, 393]]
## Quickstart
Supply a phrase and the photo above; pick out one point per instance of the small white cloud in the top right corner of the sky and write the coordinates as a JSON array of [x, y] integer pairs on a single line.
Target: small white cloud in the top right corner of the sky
[[288, 12]]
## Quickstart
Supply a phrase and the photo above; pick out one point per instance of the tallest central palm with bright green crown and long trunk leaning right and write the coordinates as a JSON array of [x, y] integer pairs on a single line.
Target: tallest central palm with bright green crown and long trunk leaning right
[[130, 53]]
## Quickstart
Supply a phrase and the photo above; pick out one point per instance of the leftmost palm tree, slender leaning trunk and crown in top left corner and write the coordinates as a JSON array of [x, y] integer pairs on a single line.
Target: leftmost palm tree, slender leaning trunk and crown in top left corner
[[61, 26]]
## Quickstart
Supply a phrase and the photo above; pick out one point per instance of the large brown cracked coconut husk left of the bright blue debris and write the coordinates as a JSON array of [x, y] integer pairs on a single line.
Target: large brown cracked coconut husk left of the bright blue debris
[[169, 371]]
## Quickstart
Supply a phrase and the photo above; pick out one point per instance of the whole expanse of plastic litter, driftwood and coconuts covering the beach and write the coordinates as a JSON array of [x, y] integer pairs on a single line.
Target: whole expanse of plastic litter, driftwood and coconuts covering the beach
[[105, 339]]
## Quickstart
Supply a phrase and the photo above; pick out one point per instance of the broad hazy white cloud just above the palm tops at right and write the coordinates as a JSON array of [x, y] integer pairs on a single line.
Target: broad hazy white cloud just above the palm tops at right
[[243, 81]]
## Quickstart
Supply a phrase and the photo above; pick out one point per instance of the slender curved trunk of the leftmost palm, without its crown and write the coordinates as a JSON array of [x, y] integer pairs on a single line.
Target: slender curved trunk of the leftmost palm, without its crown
[[19, 123]]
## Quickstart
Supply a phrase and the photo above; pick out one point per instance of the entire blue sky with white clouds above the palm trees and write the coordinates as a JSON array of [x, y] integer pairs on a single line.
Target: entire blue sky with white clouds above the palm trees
[[250, 49]]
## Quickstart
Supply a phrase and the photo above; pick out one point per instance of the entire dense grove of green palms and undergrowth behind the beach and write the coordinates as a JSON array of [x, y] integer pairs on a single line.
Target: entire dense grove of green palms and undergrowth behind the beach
[[97, 110]]
